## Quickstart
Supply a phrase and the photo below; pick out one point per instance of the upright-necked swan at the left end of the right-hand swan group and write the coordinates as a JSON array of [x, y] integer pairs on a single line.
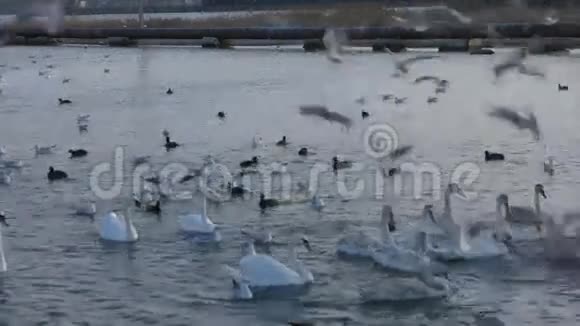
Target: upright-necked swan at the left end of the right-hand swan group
[[360, 243]]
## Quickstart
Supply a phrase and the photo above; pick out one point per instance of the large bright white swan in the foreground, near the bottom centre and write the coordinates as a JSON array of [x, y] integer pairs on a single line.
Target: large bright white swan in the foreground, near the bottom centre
[[262, 270]]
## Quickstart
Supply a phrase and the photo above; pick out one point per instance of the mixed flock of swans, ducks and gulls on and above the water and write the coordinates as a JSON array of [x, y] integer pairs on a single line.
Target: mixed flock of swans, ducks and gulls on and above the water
[[440, 239]]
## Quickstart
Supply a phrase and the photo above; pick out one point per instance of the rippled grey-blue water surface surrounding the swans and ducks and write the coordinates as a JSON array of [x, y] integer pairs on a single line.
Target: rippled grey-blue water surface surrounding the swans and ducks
[[60, 272]]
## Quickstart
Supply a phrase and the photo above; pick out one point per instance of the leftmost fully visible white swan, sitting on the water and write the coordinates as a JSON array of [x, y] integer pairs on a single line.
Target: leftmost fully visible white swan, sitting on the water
[[116, 227]]
